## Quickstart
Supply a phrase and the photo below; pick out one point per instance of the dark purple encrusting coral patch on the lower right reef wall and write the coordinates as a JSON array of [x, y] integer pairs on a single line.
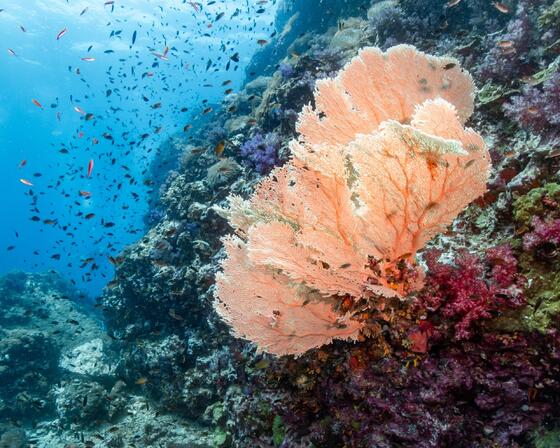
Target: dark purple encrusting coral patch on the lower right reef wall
[[470, 395]]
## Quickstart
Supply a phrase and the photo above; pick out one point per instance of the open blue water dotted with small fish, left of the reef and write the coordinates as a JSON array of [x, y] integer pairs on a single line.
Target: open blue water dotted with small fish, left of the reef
[[121, 88]]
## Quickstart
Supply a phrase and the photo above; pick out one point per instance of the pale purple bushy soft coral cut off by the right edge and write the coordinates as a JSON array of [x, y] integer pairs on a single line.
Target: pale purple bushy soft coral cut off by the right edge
[[537, 109]]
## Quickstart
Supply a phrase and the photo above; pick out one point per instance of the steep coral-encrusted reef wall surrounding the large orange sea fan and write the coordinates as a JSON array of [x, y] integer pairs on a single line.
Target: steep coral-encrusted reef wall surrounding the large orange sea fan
[[473, 362]]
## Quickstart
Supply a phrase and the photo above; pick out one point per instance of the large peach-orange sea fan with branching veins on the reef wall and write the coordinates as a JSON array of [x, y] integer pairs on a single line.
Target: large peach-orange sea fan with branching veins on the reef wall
[[382, 164]]
